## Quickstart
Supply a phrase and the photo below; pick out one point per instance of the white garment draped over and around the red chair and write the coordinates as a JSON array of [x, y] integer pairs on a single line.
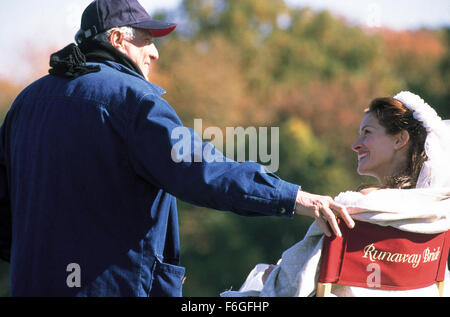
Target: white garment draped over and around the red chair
[[297, 272]]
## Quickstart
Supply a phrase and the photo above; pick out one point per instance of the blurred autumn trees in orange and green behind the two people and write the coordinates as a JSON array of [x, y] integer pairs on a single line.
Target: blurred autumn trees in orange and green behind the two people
[[261, 63]]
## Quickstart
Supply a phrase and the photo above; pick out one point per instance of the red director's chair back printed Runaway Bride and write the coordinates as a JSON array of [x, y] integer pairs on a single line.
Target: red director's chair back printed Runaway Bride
[[378, 257]]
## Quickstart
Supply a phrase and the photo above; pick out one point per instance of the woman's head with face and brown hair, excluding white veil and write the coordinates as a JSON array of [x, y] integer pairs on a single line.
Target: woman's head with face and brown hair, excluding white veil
[[391, 144]]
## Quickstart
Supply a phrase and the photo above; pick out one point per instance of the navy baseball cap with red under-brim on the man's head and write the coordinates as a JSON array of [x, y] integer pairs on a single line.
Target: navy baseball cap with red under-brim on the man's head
[[102, 15]]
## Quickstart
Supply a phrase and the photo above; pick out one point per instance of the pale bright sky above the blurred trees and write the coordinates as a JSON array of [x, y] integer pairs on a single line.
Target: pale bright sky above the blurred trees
[[52, 23]]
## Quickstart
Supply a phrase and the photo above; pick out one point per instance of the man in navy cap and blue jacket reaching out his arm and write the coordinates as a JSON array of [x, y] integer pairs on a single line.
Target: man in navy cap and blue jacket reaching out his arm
[[87, 176]]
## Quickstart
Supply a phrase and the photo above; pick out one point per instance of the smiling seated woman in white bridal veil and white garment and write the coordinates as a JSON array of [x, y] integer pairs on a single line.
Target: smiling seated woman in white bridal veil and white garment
[[405, 145]]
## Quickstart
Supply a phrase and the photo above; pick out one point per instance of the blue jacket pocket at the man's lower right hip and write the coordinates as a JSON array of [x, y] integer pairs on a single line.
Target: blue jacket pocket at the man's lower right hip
[[167, 280]]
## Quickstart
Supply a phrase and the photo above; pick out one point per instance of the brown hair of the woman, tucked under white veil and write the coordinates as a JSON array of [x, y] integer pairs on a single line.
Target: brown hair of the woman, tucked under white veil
[[395, 117]]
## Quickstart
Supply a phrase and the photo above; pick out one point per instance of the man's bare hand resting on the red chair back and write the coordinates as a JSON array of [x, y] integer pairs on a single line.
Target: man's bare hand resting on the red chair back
[[324, 209]]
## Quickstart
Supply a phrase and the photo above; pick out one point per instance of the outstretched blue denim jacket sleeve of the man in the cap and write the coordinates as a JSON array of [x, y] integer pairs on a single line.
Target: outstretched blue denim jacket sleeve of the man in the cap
[[174, 158]]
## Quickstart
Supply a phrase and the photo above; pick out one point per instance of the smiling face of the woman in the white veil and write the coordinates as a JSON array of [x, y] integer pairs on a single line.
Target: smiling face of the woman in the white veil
[[376, 149]]
